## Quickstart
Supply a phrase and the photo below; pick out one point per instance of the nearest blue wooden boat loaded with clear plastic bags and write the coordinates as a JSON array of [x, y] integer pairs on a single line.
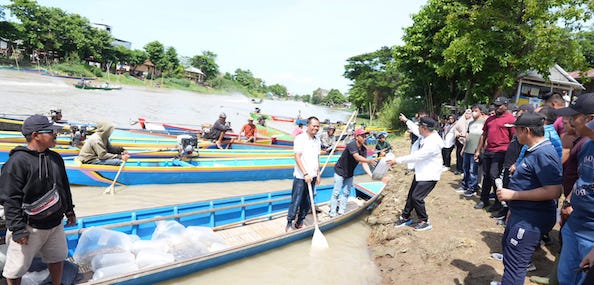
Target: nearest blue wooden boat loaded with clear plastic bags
[[247, 224]]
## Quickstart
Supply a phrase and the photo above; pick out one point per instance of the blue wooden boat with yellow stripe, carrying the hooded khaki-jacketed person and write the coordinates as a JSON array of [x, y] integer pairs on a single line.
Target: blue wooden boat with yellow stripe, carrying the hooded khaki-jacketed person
[[168, 171]]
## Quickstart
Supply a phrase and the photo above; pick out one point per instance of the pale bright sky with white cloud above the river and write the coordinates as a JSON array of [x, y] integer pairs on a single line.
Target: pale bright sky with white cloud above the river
[[301, 44]]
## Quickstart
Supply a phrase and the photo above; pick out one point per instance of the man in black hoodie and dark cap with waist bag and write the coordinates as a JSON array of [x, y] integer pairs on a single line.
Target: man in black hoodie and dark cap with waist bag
[[35, 193]]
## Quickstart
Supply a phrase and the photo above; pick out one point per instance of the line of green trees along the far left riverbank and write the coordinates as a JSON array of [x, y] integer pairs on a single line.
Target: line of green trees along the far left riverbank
[[50, 34]]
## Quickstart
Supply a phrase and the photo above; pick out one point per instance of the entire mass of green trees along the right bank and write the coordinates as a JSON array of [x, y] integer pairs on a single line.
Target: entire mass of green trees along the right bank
[[459, 52]]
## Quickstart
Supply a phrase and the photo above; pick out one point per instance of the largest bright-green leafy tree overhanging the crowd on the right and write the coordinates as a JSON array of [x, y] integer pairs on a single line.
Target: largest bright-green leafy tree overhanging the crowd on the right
[[472, 50]]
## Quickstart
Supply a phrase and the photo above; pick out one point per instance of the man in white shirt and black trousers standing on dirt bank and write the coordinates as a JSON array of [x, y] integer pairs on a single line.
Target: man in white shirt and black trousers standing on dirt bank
[[427, 163]]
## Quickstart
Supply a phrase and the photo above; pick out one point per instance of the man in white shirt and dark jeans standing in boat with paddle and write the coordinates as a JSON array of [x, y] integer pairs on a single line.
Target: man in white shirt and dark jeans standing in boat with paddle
[[307, 171]]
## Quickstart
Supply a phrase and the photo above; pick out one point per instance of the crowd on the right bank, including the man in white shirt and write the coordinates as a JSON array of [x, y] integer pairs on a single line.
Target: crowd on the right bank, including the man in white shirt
[[518, 162]]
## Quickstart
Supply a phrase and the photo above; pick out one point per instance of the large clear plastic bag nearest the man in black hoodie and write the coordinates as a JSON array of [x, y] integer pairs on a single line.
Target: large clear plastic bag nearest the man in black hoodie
[[96, 241]]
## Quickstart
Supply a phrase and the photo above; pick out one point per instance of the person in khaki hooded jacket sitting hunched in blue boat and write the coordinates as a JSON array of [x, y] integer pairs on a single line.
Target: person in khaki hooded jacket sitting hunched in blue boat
[[98, 150]]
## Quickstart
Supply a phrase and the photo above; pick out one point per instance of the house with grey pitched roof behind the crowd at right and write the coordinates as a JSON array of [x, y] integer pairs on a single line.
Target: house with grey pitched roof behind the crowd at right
[[531, 85]]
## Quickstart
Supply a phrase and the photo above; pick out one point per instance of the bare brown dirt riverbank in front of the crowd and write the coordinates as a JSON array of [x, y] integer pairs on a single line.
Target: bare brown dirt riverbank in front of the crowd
[[458, 248]]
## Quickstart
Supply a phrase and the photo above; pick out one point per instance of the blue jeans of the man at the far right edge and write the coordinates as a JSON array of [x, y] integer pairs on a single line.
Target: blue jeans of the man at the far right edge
[[572, 252]]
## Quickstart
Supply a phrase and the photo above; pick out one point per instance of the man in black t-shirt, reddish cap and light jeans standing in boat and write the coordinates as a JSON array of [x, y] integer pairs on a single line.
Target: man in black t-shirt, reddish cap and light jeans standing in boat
[[344, 170]]
